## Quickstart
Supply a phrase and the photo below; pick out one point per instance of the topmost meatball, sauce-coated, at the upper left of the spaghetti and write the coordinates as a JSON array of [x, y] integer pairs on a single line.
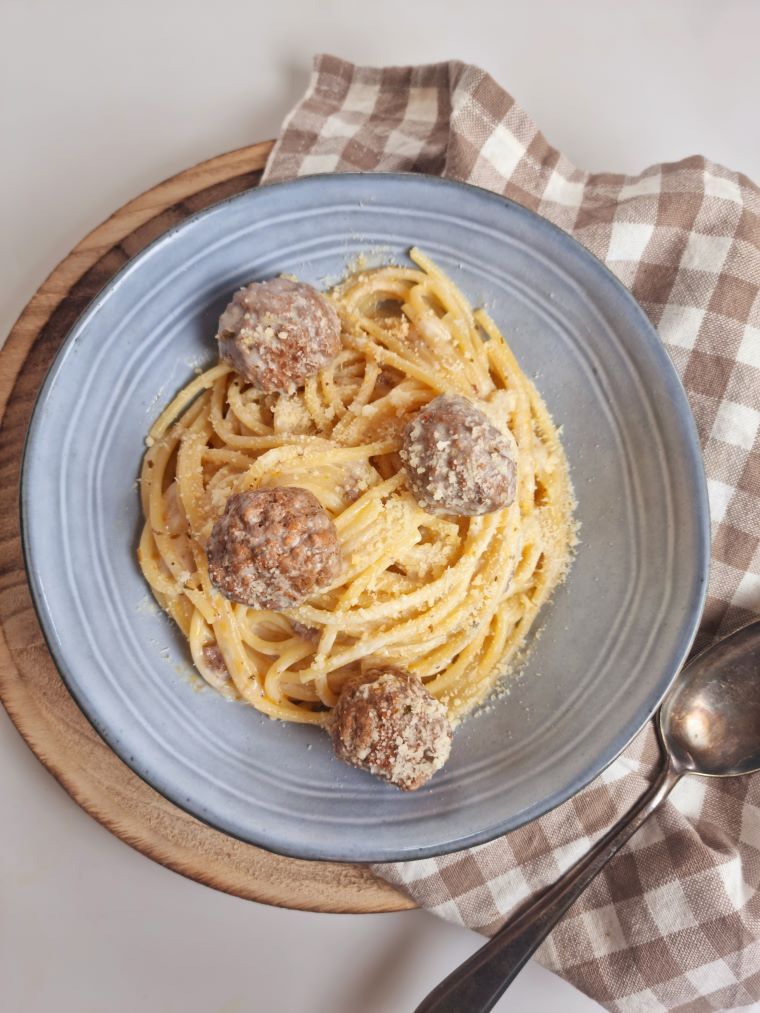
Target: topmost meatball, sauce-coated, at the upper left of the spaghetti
[[278, 334]]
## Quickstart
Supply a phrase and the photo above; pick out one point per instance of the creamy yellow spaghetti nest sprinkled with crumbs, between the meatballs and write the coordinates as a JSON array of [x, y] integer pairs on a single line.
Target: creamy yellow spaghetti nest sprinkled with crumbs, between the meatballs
[[450, 599]]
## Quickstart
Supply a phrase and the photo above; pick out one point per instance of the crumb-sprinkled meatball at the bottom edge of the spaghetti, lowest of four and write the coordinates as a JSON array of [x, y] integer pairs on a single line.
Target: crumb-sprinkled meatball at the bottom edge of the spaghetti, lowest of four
[[392, 727]]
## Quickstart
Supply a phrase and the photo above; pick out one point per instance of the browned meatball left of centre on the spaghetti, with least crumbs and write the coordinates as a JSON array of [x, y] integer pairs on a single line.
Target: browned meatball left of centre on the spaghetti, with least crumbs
[[272, 549]]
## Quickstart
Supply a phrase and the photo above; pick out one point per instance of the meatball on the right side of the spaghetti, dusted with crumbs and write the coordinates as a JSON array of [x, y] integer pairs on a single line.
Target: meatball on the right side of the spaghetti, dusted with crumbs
[[458, 462]]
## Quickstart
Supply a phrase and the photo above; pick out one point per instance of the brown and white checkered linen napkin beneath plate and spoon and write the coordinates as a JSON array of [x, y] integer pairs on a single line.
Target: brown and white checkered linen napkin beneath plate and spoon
[[674, 921]]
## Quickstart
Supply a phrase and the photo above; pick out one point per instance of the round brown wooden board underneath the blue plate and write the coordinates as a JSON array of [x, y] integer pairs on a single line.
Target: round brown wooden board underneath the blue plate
[[31, 688]]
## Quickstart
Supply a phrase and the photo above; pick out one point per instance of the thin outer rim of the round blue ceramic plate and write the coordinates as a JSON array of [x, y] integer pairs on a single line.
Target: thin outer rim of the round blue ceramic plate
[[701, 515]]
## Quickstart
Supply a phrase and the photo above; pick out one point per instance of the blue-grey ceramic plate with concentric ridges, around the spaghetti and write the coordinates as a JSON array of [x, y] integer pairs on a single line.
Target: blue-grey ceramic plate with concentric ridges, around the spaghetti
[[613, 640]]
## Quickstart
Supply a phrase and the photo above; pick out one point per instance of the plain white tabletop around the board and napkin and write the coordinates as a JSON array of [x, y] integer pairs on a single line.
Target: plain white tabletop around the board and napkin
[[101, 101]]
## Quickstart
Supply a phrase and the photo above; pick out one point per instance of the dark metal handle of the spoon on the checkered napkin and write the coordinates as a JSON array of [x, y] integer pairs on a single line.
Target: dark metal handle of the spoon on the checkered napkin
[[477, 985]]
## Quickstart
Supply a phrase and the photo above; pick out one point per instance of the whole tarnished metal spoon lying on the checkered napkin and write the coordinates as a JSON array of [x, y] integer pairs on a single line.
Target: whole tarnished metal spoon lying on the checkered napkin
[[710, 725]]
